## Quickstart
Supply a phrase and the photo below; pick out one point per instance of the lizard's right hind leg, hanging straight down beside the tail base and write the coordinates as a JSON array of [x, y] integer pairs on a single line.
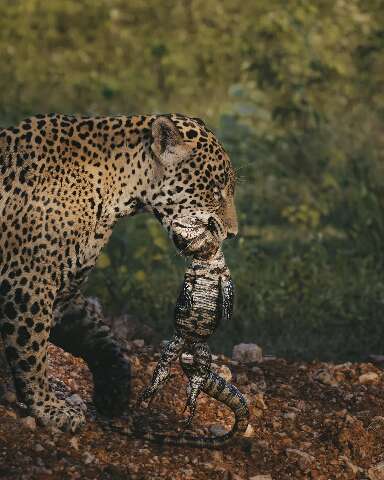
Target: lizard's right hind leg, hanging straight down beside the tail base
[[202, 359]]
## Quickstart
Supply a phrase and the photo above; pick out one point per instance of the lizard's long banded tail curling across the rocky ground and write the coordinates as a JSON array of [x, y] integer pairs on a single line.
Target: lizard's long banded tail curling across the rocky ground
[[215, 387]]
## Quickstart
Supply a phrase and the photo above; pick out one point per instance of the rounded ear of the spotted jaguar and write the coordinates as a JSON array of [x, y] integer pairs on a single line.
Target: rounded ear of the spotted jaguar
[[168, 145]]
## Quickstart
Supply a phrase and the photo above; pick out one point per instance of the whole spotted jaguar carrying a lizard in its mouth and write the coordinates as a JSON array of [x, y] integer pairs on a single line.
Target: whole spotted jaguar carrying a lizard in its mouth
[[64, 181]]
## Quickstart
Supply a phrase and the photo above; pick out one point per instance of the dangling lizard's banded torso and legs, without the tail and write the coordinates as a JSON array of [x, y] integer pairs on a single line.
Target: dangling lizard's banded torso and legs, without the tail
[[205, 299]]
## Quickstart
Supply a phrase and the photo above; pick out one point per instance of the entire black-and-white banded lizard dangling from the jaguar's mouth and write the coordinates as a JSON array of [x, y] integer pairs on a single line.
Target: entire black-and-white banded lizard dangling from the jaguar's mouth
[[206, 298]]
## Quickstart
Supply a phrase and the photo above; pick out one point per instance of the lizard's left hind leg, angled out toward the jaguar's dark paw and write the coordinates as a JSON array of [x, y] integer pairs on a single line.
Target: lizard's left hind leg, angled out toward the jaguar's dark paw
[[170, 352]]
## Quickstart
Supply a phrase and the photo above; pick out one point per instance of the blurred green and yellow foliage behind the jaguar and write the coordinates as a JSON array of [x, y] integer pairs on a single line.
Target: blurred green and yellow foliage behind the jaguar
[[294, 91]]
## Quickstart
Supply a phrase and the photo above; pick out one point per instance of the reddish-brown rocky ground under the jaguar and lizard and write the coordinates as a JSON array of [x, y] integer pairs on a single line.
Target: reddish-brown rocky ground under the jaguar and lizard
[[309, 421]]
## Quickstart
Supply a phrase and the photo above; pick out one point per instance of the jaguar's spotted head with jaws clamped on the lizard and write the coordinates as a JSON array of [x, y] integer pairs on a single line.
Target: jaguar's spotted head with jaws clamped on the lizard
[[194, 198]]
